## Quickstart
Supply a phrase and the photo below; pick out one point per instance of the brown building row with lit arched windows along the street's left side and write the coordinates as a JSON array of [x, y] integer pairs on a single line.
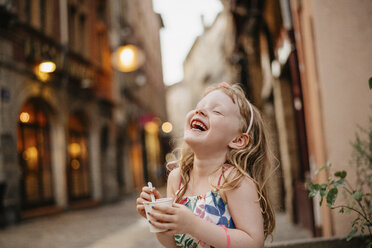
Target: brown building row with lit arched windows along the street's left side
[[70, 138]]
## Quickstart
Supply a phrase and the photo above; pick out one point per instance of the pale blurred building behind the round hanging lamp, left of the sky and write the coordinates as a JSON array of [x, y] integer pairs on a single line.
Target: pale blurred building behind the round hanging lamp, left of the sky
[[140, 94]]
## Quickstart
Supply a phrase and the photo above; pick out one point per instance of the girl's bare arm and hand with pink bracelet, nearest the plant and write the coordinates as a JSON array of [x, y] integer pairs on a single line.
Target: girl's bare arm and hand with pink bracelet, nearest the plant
[[244, 208]]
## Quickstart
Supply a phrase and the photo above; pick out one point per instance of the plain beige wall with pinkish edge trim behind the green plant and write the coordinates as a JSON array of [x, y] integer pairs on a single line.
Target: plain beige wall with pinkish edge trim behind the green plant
[[334, 51]]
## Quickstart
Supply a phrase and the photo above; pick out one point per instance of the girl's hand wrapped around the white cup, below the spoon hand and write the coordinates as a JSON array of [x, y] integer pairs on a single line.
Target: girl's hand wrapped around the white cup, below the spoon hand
[[175, 219]]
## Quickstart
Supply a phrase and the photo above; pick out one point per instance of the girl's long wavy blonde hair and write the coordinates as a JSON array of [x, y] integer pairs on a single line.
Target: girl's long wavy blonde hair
[[254, 161]]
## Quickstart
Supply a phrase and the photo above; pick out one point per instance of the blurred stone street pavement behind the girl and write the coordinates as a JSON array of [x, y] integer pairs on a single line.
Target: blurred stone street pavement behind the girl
[[113, 225]]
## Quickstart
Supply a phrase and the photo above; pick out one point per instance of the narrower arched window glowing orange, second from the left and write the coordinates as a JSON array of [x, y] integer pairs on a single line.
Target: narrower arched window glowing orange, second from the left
[[78, 175]]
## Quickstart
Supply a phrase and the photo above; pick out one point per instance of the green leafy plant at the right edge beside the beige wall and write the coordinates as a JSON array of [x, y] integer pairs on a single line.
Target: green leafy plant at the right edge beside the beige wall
[[358, 198]]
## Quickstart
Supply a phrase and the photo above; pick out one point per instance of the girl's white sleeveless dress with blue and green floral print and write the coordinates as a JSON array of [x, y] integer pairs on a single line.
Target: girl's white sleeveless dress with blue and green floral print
[[210, 207]]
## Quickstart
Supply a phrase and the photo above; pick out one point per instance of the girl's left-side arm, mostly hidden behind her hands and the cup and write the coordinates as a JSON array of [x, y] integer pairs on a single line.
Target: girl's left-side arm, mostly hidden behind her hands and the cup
[[167, 238]]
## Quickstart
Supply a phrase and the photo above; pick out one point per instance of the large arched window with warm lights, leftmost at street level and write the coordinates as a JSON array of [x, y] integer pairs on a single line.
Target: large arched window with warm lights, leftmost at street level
[[34, 155]]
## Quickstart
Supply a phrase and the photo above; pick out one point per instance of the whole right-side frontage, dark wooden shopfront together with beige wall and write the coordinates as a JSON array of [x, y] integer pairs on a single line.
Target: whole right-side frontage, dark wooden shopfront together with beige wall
[[291, 52]]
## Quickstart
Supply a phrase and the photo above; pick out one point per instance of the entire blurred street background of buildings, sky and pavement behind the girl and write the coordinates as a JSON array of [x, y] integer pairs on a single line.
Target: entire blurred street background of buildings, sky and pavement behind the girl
[[94, 95]]
